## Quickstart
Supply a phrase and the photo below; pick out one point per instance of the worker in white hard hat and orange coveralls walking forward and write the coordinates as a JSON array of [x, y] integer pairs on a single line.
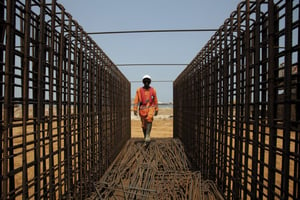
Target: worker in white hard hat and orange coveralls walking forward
[[146, 101]]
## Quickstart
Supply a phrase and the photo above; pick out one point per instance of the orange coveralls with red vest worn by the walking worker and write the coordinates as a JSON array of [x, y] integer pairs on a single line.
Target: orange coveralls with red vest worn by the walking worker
[[147, 102]]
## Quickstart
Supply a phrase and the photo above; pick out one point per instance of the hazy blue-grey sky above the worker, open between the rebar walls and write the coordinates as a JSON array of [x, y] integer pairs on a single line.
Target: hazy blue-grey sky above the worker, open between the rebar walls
[[151, 48]]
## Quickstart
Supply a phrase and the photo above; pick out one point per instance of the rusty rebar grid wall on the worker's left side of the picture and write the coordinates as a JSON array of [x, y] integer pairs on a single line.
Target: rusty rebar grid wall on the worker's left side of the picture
[[65, 106]]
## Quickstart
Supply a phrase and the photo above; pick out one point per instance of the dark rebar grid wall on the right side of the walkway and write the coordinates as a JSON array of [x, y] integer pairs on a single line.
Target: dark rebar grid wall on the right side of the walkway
[[237, 104]]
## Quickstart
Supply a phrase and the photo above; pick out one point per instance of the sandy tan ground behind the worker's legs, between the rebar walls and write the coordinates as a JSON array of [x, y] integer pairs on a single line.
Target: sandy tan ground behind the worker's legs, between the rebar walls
[[162, 126]]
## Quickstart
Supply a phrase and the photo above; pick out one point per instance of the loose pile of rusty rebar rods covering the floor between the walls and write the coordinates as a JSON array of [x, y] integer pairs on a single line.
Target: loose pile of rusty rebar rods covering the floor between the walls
[[159, 170]]
